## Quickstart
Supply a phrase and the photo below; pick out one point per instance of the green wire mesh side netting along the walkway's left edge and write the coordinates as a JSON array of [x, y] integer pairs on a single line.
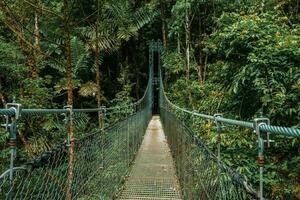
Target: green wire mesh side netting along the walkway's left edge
[[101, 163]]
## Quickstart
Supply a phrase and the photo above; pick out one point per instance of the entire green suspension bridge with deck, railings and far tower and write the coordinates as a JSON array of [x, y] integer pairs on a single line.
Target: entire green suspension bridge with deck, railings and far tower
[[149, 152]]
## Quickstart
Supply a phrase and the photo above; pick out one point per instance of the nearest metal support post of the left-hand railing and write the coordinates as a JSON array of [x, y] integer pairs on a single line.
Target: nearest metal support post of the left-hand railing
[[11, 126]]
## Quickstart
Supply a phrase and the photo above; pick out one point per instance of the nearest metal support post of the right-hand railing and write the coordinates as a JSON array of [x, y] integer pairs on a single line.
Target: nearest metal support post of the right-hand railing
[[261, 145]]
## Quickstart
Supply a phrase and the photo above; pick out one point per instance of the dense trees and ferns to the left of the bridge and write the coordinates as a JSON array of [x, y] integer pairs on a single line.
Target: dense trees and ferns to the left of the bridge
[[85, 53]]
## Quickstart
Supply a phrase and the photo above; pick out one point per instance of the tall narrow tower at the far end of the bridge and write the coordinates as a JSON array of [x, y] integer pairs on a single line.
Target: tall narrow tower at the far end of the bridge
[[154, 66]]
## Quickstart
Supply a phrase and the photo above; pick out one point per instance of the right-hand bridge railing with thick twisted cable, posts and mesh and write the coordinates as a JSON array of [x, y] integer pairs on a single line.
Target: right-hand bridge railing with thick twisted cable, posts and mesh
[[203, 173]]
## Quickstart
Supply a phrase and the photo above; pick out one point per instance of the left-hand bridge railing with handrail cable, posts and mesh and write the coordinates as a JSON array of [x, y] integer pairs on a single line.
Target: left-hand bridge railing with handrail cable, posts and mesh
[[100, 157]]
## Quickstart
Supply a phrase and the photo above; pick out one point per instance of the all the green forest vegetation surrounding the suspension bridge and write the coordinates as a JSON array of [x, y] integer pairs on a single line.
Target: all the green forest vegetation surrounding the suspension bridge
[[237, 57]]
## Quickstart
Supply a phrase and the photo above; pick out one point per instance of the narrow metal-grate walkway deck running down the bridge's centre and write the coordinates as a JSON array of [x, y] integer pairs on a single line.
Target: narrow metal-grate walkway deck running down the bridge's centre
[[153, 174]]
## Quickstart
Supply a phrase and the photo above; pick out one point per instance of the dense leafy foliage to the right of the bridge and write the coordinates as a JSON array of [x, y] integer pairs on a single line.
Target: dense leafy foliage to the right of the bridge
[[240, 58]]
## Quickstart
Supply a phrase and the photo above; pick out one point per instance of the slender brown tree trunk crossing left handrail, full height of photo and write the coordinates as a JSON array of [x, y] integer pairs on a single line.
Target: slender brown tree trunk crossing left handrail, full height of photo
[[70, 98]]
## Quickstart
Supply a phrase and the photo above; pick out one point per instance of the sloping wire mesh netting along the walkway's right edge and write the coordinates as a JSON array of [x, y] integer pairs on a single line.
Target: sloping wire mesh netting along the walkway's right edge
[[201, 174]]
